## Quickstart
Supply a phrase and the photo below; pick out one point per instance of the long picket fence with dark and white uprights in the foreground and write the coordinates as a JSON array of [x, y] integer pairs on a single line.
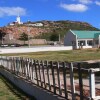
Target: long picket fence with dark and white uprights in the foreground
[[75, 81]]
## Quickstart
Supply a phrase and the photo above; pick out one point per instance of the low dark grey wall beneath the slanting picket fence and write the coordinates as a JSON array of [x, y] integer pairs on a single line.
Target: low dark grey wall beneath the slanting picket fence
[[29, 88]]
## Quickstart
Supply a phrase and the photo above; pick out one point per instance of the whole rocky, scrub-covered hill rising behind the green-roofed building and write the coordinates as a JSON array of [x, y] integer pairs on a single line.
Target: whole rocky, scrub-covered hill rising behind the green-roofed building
[[46, 29]]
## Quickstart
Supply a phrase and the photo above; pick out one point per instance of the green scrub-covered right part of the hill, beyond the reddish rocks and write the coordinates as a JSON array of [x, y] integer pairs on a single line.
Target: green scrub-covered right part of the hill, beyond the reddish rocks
[[61, 27]]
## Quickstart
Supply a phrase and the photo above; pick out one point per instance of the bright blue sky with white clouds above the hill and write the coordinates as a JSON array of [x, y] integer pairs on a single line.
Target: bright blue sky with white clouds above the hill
[[36, 10]]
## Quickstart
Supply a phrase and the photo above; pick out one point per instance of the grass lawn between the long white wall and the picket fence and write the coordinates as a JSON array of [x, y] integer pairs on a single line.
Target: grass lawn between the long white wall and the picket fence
[[72, 55]]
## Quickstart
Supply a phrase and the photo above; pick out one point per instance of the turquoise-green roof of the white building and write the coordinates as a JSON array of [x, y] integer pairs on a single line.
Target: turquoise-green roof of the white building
[[86, 34]]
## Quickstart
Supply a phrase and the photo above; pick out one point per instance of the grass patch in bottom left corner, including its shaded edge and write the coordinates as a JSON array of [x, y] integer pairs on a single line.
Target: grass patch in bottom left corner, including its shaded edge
[[10, 92]]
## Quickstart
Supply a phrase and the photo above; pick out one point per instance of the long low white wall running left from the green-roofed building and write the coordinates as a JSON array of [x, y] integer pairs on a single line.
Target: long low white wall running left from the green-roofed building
[[33, 49]]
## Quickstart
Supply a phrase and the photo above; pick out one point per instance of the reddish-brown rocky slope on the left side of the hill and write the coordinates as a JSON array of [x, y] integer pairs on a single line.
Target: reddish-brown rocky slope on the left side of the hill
[[17, 30]]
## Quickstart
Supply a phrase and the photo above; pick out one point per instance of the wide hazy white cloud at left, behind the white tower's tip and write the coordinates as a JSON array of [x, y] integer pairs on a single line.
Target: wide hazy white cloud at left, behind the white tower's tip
[[12, 11]]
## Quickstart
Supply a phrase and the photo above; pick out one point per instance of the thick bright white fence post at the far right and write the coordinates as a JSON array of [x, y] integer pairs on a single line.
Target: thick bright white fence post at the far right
[[92, 84]]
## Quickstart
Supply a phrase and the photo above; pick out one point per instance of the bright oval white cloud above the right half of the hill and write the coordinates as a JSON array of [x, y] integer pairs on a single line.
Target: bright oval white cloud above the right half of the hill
[[74, 7]]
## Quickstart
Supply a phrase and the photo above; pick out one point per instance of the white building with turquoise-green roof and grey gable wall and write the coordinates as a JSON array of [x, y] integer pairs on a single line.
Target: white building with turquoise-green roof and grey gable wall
[[82, 39]]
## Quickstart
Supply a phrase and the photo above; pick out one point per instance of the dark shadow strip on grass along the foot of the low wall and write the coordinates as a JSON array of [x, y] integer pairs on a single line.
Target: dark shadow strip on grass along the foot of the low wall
[[15, 90]]
